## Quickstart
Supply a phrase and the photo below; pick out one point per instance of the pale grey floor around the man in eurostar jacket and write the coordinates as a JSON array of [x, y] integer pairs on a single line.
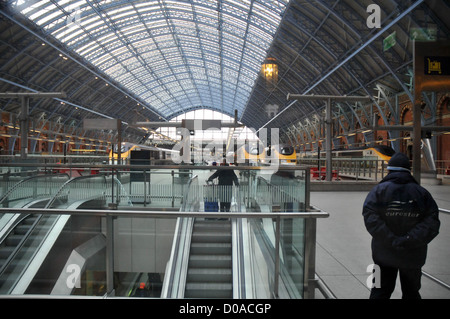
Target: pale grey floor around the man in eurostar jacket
[[343, 246]]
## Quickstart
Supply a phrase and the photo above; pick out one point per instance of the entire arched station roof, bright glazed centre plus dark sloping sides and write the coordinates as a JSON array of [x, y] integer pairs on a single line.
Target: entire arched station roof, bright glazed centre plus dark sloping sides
[[155, 60]]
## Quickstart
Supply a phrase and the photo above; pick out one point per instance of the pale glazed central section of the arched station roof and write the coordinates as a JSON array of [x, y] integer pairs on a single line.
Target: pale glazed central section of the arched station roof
[[174, 55]]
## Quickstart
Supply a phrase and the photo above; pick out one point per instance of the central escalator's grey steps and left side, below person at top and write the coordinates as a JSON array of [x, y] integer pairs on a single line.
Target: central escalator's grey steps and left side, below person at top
[[201, 261]]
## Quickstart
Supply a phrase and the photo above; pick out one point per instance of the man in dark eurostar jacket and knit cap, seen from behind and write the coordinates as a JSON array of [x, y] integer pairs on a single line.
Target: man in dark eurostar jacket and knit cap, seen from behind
[[402, 218]]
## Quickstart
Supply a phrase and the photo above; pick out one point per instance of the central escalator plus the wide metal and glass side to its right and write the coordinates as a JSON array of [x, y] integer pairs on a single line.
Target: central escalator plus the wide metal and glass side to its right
[[238, 258]]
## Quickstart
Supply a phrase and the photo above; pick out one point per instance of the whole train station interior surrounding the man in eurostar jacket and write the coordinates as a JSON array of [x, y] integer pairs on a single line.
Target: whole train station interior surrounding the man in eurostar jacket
[[204, 149]]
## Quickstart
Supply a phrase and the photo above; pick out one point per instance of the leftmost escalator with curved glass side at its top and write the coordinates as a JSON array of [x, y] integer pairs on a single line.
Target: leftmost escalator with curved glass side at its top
[[26, 243]]
